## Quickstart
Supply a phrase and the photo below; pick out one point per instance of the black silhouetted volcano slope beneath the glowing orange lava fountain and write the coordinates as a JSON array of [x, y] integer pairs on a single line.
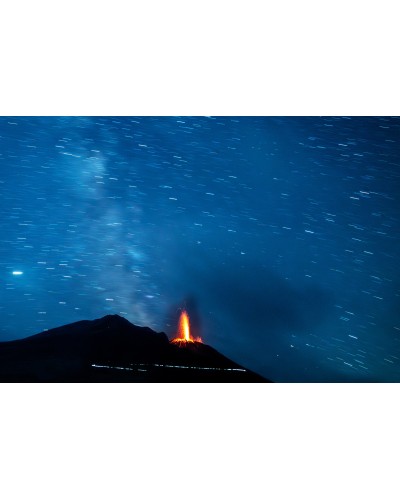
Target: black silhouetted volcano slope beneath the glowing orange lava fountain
[[111, 349]]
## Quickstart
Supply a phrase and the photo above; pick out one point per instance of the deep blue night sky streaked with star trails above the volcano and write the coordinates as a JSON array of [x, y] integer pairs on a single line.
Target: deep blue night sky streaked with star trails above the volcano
[[280, 235]]
